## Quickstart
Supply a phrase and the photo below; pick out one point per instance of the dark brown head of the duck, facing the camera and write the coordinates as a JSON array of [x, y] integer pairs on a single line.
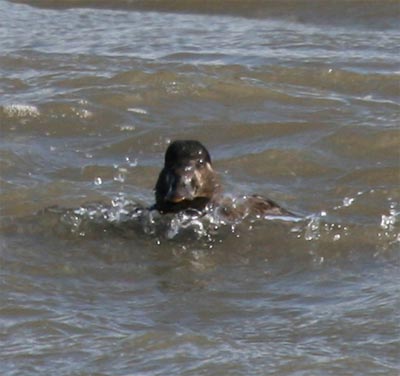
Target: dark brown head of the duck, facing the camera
[[187, 180]]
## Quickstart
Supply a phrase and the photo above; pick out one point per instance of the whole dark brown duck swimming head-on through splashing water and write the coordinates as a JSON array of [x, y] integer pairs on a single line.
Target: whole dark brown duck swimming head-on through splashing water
[[188, 182]]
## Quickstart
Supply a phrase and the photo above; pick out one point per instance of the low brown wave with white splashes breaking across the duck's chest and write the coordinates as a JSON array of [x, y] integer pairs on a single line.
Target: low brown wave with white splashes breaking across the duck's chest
[[325, 234]]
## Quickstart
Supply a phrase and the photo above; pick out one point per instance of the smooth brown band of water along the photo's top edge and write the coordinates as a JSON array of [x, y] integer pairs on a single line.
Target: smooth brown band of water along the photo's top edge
[[367, 13]]
